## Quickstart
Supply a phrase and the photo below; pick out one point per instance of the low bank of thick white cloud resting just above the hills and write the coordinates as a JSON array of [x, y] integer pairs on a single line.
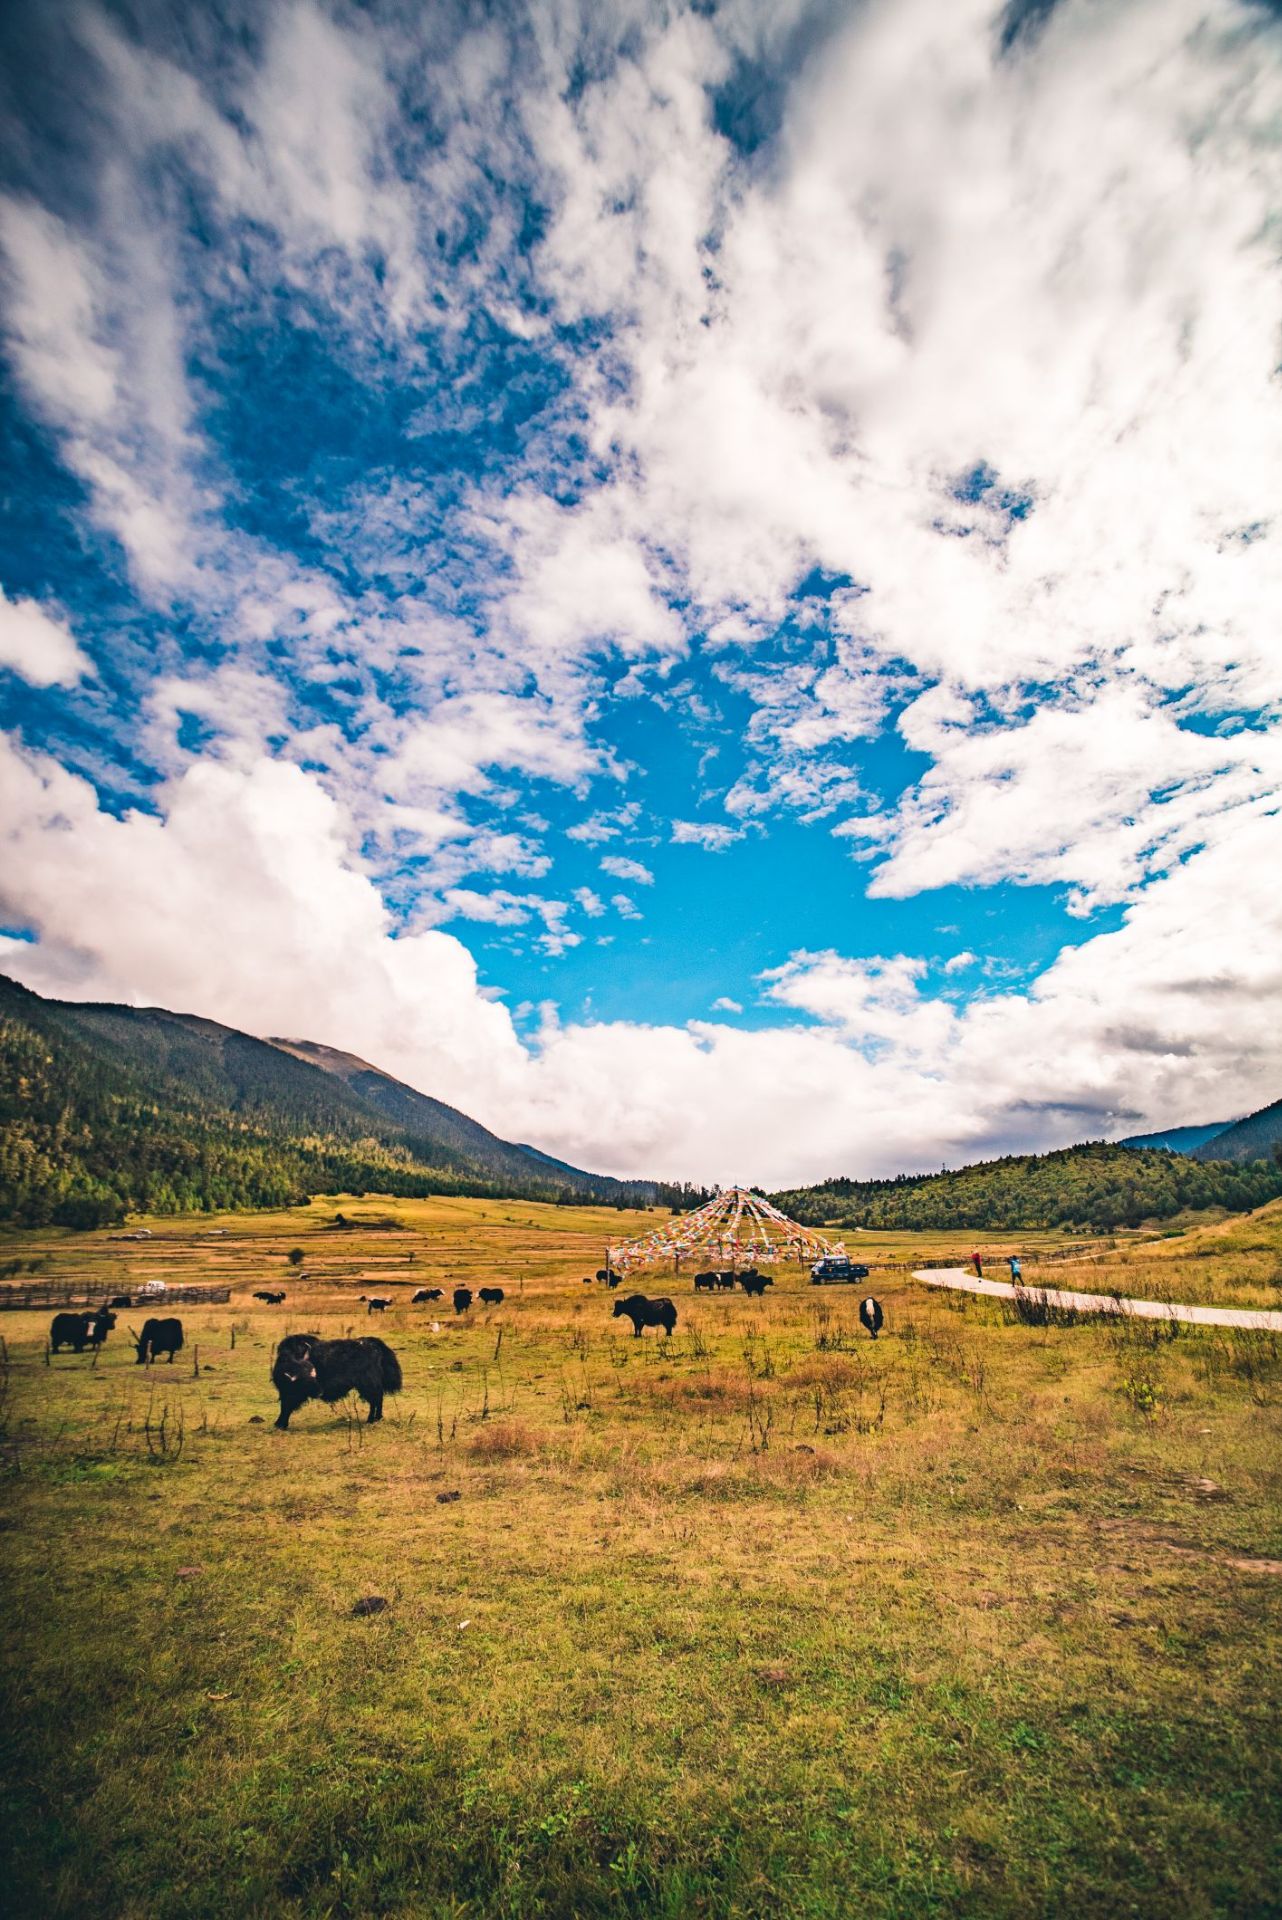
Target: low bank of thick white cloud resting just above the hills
[[241, 901]]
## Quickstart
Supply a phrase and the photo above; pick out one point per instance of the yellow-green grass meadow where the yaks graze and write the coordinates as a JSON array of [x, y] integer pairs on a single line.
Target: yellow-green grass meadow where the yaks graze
[[763, 1621]]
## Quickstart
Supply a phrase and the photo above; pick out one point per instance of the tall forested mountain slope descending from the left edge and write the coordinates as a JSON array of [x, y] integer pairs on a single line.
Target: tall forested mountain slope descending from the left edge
[[116, 1109]]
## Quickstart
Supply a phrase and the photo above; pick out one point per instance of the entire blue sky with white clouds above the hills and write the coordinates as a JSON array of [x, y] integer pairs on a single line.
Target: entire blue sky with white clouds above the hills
[[700, 583]]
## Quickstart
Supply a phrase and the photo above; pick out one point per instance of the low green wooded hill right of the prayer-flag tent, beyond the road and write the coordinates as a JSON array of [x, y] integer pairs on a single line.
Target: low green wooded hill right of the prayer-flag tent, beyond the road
[[1081, 1188]]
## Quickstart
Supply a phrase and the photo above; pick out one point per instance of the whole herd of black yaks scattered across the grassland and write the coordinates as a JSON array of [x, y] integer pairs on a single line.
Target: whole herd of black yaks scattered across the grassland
[[310, 1368]]
